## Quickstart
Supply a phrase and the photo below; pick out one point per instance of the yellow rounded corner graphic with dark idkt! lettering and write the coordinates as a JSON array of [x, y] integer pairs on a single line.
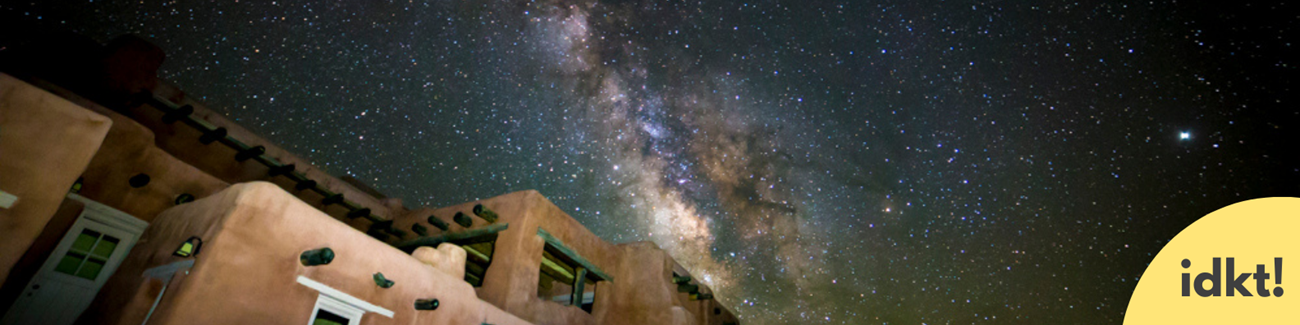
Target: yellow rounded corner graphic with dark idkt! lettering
[[1229, 267]]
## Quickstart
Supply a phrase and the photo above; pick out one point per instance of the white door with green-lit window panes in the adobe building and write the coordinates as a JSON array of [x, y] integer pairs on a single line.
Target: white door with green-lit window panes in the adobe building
[[79, 267]]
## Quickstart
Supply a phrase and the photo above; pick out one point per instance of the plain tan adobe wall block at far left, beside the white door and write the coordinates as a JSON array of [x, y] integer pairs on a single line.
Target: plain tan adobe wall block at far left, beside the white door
[[46, 142]]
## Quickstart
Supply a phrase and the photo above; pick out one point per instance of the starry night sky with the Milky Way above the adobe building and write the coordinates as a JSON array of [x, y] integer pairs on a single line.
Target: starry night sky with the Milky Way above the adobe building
[[813, 162]]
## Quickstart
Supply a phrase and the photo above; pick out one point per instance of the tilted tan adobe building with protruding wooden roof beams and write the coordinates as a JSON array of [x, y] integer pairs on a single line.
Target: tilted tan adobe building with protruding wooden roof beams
[[124, 201]]
